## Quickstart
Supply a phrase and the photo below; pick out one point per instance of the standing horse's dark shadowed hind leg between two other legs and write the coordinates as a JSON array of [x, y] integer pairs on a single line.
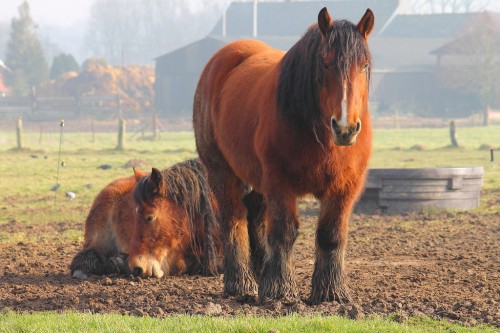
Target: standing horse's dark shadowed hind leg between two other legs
[[254, 203]]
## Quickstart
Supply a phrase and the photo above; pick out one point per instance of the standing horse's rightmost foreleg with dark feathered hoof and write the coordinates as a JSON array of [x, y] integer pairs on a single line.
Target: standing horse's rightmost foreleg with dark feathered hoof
[[328, 281]]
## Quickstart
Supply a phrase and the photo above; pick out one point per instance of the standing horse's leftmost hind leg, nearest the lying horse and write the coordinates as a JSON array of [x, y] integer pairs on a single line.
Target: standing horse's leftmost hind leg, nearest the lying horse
[[238, 275]]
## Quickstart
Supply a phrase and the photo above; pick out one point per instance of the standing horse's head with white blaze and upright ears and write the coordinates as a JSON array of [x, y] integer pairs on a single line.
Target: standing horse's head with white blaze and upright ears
[[345, 62]]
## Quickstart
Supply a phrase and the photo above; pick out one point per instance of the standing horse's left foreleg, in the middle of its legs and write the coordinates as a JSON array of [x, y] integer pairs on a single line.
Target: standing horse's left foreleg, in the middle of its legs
[[277, 280]]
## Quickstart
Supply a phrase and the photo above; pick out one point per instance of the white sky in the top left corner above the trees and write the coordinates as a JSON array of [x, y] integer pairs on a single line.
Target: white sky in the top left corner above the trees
[[50, 12]]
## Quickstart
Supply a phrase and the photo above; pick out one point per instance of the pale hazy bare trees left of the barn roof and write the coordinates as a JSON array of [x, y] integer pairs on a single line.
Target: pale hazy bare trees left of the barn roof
[[137, 31]]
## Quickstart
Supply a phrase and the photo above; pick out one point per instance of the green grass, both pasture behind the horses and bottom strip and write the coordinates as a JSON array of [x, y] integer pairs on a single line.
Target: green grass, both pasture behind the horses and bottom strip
[[28, 175]]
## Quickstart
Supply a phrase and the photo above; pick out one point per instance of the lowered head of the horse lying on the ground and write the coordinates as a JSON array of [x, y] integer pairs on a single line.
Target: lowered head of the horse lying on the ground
[[154, 226]]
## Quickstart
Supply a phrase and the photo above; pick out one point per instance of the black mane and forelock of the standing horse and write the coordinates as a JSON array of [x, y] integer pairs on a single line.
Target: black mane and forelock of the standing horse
[[303, 71]]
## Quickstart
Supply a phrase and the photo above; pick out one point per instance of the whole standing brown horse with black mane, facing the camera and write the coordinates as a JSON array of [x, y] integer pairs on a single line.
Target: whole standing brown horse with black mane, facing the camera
[[287, 124]]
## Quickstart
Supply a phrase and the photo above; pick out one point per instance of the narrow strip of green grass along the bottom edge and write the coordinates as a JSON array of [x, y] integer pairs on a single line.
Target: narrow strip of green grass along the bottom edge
[[78, 322]]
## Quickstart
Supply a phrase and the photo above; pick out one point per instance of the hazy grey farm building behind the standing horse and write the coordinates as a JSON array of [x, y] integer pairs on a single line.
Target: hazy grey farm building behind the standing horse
[[404, 75]]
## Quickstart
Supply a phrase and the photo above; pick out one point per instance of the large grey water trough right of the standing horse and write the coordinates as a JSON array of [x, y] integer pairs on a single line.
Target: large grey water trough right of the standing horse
[[404, 190]]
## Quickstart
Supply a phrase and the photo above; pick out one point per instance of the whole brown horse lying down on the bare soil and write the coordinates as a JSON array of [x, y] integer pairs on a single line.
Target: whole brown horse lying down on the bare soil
[[156, 224]]
